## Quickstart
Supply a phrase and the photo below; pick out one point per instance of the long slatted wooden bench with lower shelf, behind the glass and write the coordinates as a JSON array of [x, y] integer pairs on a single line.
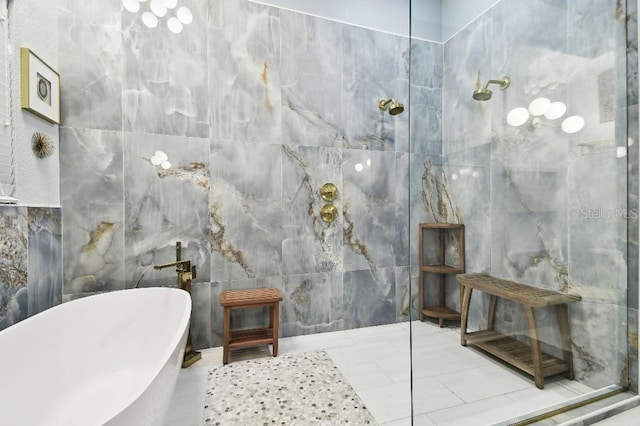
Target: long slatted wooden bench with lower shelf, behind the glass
[[527, 358]]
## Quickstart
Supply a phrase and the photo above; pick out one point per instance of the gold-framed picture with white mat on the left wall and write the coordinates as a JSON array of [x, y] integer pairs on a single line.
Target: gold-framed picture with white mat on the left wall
[[39, 87]]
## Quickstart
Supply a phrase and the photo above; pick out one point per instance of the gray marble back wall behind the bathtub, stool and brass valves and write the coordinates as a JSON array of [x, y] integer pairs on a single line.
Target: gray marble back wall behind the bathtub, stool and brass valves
[[256, 108]]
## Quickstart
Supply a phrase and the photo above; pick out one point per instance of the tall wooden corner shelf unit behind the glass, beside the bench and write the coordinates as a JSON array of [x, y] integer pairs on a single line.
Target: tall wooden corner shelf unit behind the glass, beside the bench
[[441, 230]]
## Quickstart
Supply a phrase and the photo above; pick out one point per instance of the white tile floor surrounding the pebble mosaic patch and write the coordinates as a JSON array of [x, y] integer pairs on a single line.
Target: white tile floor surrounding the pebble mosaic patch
[[453, 385]]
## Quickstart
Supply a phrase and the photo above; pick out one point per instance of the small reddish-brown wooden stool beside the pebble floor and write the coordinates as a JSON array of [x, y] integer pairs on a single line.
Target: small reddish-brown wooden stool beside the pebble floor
[[255, 298]]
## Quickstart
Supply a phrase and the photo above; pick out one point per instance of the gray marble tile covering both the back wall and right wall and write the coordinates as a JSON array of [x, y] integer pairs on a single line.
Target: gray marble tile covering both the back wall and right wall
[[257, 107]]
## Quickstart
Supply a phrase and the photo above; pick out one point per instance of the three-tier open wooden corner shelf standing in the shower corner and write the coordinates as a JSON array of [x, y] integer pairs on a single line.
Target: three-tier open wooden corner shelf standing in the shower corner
[[435, 240]]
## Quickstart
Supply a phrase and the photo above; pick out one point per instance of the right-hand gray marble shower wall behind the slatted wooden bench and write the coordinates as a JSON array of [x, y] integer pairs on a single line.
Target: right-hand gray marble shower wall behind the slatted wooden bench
[[532, 218]]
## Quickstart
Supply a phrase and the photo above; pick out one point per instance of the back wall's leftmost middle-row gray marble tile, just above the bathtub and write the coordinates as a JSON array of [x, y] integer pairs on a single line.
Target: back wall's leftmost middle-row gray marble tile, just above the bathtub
[[91, 192]]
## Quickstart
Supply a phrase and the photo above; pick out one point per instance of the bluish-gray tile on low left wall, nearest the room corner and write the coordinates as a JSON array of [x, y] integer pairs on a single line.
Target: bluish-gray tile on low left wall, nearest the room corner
[[44, 271]]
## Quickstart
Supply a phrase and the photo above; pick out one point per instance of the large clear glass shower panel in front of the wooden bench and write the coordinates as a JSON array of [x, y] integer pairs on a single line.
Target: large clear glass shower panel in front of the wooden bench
[[536, 170]]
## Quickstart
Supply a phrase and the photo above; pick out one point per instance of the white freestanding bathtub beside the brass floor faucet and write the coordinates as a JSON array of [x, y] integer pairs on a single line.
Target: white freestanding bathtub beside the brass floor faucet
[[110, 359]]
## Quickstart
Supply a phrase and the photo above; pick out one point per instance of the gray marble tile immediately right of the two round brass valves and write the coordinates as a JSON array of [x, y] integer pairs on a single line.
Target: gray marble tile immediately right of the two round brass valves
[[369, 209]]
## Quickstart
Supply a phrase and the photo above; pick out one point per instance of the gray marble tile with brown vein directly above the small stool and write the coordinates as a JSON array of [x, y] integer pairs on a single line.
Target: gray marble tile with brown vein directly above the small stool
[[245, 212]]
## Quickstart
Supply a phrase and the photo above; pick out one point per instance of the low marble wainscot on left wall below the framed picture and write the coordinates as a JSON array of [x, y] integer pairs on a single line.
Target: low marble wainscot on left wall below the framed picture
[[30, 261]]
